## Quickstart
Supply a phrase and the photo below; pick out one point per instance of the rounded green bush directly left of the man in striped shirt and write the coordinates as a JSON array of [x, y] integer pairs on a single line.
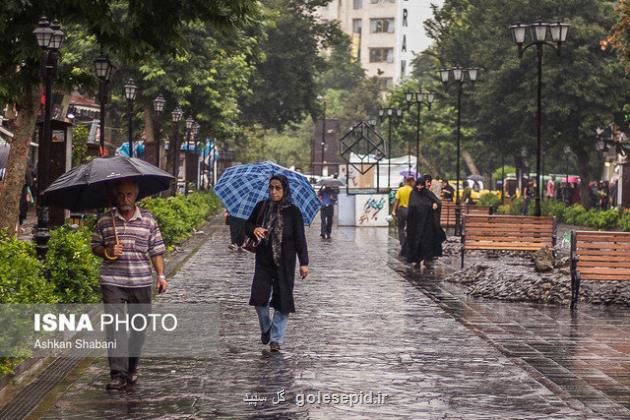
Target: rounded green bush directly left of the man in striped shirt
[[72, 267]]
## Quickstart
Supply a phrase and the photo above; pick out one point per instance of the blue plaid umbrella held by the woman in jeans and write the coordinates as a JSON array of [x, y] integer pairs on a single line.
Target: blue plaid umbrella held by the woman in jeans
[[241, 187]]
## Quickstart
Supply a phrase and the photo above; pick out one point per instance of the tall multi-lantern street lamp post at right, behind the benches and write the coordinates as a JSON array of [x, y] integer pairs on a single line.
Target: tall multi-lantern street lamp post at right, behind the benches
[[538, 33]]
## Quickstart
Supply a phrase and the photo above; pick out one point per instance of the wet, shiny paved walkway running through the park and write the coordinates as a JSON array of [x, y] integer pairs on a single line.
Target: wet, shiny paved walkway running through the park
[[364, 323]]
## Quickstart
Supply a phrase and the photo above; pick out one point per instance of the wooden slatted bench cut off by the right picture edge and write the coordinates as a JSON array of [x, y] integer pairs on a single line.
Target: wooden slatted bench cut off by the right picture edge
[[598, 256]]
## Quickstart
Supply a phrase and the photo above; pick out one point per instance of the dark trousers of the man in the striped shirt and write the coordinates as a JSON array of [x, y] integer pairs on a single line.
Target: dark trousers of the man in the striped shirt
[[125, 357]]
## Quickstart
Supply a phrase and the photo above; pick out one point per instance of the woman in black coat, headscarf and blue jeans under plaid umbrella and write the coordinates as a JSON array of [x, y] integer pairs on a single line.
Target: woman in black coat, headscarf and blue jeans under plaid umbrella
[[279, 227]]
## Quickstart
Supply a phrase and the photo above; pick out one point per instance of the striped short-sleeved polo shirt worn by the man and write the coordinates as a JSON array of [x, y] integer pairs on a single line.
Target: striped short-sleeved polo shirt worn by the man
[[141, 239]]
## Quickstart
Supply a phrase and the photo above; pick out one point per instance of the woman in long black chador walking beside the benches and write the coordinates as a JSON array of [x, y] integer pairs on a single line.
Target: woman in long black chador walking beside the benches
[[424, 233]]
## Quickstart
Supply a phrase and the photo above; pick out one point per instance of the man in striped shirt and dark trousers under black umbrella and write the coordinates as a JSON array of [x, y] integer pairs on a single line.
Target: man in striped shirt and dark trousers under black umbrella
[[128, 239]]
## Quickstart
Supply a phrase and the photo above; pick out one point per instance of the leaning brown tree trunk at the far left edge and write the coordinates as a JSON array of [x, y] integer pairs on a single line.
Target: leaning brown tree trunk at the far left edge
[[16, 164]]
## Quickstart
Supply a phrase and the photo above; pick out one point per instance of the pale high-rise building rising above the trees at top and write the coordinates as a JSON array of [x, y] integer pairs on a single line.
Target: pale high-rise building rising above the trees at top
[[386, 34]]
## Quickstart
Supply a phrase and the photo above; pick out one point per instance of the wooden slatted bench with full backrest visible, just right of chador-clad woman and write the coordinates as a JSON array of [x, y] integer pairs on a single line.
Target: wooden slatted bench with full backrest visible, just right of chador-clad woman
[[503, 232]]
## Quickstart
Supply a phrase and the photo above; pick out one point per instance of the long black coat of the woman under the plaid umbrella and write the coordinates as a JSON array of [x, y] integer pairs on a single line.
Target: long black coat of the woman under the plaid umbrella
[[266, 273]]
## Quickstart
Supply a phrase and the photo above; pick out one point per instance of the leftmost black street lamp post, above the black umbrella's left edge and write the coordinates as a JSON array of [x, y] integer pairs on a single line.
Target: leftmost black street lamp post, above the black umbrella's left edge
[[49, 39]]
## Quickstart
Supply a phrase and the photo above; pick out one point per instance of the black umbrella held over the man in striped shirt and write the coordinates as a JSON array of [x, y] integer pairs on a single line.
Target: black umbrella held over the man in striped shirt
[[89, 186]]
